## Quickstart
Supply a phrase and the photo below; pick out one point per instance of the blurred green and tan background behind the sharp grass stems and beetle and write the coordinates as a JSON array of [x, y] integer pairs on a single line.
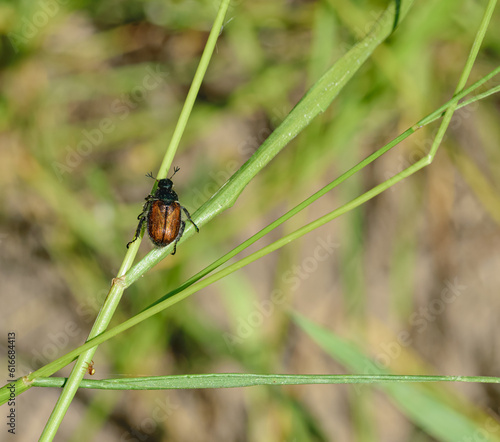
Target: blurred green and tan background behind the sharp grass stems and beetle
[[90, 94]]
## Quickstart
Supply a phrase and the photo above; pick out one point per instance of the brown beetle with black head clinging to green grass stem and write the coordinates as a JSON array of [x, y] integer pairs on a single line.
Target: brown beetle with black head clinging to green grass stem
[[162, 212]]
